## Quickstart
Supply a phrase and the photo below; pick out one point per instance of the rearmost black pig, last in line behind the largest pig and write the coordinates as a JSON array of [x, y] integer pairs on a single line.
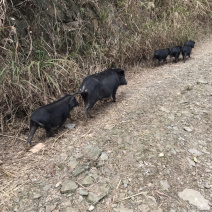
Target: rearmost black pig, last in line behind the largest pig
[[51, 115]]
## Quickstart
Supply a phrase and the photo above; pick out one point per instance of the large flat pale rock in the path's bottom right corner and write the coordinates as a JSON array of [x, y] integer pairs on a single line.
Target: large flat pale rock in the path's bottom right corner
[[194, 198]]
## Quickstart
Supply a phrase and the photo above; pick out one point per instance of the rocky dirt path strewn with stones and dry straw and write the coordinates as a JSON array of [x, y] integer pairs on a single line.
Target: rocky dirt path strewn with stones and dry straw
[[155, 142]]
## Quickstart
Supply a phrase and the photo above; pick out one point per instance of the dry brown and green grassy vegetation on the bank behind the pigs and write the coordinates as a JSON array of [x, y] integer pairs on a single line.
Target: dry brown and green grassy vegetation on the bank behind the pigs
[[61, 46]]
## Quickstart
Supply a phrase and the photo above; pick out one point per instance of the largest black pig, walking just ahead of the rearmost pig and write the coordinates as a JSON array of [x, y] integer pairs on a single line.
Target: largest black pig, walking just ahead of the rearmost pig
[[99, 86]]
